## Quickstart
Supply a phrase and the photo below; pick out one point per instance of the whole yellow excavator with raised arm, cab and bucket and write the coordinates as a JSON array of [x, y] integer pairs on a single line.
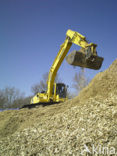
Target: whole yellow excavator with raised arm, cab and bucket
[[86, 57]]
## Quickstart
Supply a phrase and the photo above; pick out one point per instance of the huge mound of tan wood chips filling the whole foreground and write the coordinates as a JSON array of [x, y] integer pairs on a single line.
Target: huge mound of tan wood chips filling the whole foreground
[[85, 125]]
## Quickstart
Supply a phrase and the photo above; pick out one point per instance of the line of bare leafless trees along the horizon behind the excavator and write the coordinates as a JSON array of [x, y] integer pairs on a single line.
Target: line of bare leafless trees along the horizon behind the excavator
[[10, 97]]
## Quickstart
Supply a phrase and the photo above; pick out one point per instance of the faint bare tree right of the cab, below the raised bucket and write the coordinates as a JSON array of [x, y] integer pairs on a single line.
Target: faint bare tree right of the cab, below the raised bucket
[[80, 80]]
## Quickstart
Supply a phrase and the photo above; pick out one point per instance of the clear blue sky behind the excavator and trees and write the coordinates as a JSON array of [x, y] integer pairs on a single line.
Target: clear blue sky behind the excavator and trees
[[31, 32]]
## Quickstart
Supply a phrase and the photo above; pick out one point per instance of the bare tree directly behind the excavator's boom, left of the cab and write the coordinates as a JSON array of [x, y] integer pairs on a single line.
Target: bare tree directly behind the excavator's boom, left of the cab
[[42, 85]]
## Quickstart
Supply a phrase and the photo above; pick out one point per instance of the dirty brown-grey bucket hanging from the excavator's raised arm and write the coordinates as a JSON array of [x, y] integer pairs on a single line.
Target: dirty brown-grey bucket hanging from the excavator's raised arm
[[77, 58]]
